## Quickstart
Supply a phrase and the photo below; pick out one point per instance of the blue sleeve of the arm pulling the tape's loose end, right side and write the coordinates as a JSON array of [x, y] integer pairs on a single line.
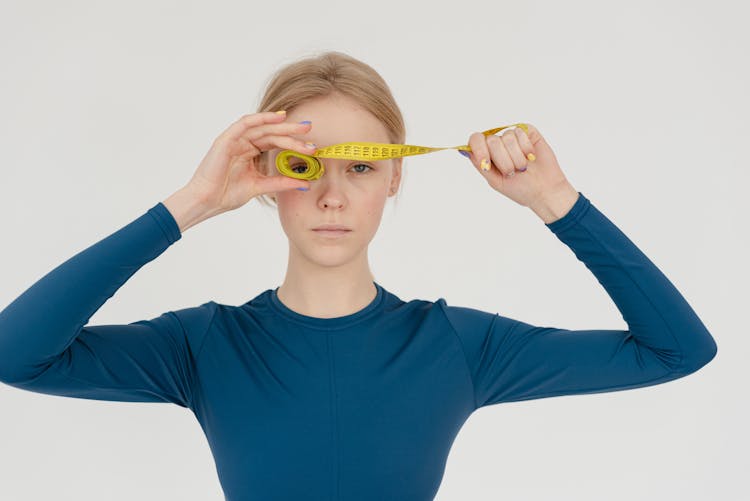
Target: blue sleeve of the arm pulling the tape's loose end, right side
[[510, 360]]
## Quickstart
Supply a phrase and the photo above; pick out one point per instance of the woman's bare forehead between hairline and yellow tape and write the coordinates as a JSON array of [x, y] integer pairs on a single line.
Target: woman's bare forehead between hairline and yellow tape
[[337, 119]]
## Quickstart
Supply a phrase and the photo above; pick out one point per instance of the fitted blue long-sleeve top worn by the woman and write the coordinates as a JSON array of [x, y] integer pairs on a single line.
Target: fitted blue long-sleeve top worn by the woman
[[359, 407]]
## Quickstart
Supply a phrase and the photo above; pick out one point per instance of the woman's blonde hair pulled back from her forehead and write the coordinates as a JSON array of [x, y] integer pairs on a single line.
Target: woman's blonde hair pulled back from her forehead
[[324, 74]]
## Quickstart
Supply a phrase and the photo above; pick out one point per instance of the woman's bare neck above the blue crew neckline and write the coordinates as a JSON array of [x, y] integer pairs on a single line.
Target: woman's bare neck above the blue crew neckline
[[327, 292]]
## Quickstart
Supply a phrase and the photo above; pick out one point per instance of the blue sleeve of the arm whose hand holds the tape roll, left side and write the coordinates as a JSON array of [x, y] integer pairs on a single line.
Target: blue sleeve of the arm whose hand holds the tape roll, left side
[[46, 346]]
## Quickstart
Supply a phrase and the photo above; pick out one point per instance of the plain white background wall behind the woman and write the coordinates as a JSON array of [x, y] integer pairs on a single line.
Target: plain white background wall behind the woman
[[107, 108]]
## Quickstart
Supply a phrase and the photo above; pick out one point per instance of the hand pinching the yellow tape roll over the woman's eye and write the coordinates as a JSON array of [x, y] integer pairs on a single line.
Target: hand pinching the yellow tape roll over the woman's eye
[[228, 178]]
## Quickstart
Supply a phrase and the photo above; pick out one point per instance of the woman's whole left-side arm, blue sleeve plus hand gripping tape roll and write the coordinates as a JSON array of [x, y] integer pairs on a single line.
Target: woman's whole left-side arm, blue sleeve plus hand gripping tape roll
[[45, 344]]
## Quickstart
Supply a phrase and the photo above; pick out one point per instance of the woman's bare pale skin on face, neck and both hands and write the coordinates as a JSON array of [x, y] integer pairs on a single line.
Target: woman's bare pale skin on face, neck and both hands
[[331, 277]]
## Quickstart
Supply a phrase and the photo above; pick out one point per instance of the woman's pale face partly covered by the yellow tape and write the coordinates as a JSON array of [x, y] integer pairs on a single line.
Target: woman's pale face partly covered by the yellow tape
[[351, 193]]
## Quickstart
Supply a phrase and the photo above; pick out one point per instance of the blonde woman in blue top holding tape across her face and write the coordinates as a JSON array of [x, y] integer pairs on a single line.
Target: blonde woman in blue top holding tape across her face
[[330, 386]]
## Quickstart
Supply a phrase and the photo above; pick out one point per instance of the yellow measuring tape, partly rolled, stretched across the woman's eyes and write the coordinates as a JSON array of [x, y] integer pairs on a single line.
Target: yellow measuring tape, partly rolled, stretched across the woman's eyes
[[289, 160]]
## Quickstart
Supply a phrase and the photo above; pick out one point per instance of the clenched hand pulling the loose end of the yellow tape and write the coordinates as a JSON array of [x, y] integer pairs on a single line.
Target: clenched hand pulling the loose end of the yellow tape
[[512, 173]]
